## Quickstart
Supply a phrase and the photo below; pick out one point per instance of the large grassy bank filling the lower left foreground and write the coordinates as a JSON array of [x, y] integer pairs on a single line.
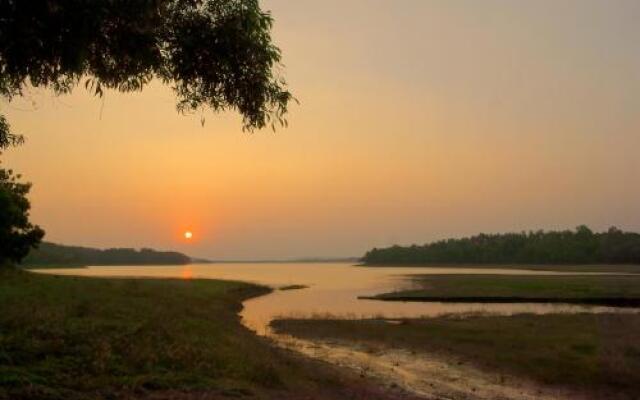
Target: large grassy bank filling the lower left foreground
[[78, 338]]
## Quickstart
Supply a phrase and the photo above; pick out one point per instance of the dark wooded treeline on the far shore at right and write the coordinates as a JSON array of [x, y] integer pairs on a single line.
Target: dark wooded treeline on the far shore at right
[[581, 246]]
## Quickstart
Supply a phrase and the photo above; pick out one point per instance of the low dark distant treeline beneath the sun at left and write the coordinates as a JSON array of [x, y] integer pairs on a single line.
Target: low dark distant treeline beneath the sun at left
[[50, 254]]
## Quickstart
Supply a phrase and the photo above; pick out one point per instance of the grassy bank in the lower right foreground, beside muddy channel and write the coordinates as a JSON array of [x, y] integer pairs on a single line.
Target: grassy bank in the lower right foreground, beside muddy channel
[[596, 355]]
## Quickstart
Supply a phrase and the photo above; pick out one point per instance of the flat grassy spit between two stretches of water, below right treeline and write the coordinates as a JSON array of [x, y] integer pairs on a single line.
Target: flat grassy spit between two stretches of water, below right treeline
[[600, 290]]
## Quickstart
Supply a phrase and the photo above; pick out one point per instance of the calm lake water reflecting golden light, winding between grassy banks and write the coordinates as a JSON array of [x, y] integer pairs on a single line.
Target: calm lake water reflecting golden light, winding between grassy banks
[[333, 290]]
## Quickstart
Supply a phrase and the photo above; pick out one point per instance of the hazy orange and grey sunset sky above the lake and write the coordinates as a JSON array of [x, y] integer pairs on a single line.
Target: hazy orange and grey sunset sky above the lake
[[418, 120]]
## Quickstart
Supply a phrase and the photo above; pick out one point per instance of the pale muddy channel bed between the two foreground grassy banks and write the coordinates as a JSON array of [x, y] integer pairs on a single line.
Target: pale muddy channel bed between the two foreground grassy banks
[[429, 377]]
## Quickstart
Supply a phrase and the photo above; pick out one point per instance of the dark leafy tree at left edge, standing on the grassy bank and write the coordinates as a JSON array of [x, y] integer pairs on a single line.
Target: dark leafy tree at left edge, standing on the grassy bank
[[17, 234]]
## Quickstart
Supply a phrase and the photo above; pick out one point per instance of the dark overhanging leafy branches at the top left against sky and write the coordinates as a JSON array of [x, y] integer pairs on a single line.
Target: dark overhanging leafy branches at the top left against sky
[[213, 53]]
